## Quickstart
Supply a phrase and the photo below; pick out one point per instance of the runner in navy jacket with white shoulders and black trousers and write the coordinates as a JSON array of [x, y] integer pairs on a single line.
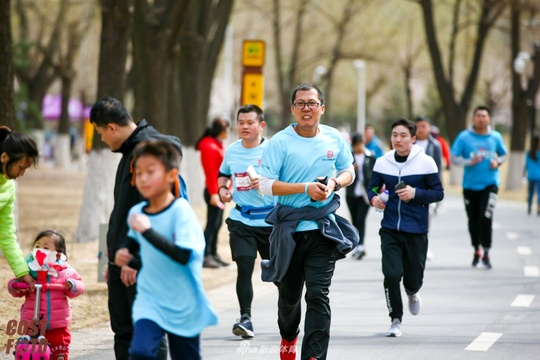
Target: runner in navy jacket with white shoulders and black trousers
[[405, 221]]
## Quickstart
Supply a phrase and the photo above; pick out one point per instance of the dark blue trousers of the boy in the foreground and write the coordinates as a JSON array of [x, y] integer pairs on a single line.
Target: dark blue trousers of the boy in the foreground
[[147, 336]]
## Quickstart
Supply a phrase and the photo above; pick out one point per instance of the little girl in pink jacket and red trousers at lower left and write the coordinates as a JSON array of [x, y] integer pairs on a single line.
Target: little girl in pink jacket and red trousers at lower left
[[48, 264]]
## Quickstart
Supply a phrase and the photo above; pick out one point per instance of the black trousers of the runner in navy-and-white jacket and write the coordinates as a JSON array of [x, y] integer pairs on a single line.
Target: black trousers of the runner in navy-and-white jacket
[[403, 257]]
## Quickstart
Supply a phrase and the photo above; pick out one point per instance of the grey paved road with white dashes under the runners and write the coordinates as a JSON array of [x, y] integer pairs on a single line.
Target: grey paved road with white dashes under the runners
[[467, 313]]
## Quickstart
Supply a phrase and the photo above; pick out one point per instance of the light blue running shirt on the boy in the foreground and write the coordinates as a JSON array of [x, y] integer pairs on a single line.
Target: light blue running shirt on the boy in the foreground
[[169, 293]]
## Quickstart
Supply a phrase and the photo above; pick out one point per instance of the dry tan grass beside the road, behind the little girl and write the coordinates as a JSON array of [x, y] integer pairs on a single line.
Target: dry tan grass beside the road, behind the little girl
[[51, 199]]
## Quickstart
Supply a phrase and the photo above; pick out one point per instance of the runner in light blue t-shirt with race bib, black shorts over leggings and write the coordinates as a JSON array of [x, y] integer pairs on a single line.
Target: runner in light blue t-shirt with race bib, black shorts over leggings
[[238, 180]]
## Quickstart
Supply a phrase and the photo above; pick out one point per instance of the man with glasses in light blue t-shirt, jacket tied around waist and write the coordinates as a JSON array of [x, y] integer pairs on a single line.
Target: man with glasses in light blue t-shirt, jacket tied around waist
[[304, 165]]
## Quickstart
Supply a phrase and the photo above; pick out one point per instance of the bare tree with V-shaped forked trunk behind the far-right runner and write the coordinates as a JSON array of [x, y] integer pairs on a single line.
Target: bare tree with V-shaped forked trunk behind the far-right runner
[[456, 107]]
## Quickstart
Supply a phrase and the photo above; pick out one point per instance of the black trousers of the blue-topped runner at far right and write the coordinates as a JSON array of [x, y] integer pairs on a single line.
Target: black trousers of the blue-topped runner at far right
[[479, 206]]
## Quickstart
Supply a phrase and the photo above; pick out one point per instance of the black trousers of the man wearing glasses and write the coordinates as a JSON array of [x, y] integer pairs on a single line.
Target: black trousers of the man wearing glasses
[[313, 263]]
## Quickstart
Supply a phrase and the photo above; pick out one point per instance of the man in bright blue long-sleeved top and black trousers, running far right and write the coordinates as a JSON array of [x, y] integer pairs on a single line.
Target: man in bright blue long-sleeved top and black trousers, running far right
[[480, 150]]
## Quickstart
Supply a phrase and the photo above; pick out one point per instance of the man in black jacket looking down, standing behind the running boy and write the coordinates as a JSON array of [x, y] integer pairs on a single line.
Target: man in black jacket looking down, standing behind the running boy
[[118, 130]]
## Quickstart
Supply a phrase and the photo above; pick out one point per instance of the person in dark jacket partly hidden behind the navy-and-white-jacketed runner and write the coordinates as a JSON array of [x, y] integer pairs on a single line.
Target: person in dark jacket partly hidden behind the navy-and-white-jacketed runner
[[357, 192]]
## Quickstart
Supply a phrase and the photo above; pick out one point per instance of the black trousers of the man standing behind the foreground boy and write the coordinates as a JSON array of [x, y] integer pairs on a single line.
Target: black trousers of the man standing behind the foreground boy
[[120, 302]]
